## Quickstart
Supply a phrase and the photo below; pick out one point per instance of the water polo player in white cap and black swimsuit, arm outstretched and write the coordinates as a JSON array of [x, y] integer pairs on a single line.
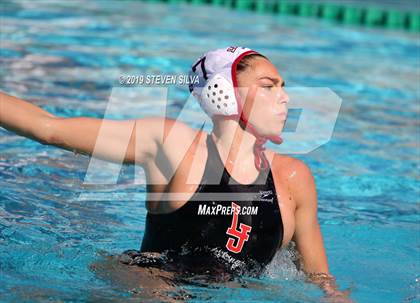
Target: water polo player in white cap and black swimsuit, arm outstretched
[[222, 175]]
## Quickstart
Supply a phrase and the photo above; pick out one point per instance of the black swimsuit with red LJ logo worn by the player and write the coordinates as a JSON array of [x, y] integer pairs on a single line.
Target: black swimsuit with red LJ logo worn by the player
[[218, 238]]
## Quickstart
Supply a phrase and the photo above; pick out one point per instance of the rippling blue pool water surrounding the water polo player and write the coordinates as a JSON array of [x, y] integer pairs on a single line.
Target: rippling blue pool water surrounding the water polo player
[[66, 56]]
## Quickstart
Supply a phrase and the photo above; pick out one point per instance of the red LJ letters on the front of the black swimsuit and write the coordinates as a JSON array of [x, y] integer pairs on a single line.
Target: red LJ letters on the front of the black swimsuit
[[241, 235]]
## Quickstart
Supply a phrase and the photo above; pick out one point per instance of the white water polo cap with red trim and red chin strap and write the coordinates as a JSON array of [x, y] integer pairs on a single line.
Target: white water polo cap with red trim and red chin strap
[[217, 92]]
